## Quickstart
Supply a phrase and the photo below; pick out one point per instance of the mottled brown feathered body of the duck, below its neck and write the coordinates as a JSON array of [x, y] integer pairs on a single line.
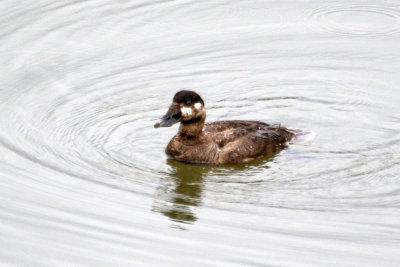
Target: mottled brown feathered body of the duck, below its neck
[[230, 142]]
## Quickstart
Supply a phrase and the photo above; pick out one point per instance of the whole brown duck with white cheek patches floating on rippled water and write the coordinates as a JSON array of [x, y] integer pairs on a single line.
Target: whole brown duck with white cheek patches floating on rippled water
[[220, 142]]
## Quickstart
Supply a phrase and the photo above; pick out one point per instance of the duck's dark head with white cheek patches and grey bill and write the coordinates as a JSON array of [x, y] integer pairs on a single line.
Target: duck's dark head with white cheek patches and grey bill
[[187, 107]]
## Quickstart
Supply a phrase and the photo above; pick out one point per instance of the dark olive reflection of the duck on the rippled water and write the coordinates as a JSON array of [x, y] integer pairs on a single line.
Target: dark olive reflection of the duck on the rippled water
[[180, 194]]
